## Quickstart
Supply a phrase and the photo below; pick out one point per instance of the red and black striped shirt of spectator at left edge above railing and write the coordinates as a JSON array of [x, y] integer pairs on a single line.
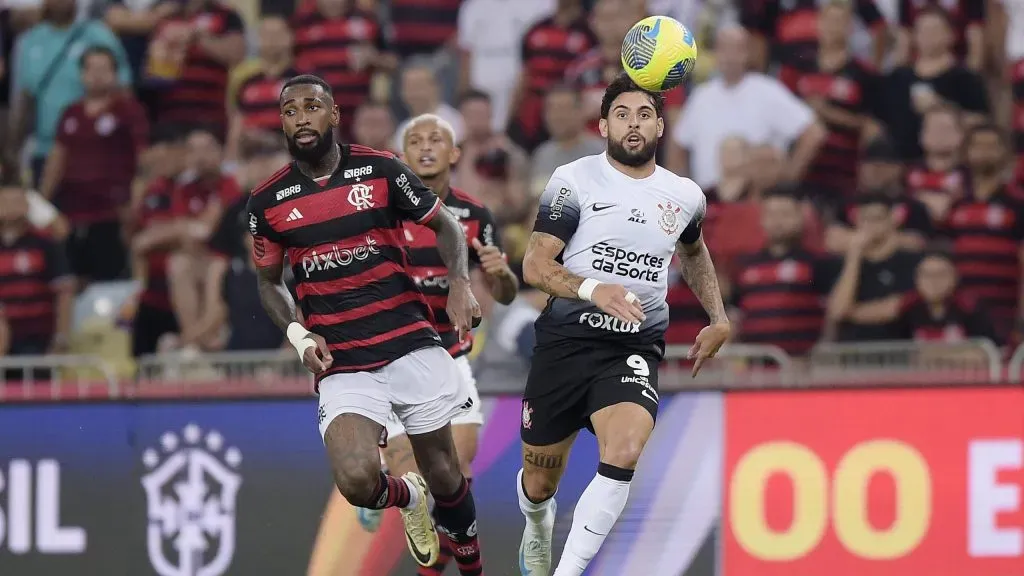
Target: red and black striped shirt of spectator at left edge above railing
[[30, 268]]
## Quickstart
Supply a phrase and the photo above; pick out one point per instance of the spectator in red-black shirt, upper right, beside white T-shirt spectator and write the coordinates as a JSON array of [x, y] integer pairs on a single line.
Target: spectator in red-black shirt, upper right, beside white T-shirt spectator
[[844, 93]]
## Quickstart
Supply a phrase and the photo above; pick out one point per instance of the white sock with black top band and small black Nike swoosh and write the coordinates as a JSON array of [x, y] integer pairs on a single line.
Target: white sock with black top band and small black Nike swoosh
[[593, 518]]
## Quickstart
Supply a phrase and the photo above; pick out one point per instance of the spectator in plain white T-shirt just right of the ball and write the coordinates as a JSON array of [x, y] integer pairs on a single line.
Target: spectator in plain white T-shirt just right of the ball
[[743, 104]]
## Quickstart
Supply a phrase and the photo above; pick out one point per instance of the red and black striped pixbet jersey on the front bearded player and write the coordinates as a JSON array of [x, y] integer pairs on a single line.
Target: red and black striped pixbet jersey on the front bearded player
[[345, 240]]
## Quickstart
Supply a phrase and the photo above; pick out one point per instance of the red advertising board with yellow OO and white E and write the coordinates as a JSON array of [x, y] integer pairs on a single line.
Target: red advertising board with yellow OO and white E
[[880, 483]]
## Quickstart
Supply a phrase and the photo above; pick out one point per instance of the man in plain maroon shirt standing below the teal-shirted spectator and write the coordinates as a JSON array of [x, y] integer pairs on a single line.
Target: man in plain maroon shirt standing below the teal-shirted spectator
[[90, 173]]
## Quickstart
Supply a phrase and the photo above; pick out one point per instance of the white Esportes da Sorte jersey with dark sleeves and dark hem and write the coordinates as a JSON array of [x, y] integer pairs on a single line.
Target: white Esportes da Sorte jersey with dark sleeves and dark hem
[[618, 230]]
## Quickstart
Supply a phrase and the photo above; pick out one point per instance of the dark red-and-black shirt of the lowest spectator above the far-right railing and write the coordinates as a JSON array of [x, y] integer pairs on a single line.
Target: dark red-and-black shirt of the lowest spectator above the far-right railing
[[960, 318]]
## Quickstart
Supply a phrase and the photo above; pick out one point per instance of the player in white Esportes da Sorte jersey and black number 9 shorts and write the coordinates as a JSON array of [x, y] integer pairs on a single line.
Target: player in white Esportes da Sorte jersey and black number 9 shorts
[[606, 233]]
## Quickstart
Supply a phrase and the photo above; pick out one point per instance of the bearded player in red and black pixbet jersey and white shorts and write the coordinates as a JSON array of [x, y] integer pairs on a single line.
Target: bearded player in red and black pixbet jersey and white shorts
[[338, 213]]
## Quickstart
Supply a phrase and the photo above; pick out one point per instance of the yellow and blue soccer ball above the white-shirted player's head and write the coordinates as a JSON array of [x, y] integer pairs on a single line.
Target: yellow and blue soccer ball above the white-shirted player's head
[[659, 54]]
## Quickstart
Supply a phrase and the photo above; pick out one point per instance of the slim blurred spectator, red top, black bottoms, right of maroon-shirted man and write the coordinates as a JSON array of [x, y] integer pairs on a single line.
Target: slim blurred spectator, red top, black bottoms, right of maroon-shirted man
[[154, 235]]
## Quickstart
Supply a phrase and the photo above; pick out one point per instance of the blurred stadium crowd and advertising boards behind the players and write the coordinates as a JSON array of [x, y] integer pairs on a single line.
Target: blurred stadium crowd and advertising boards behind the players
[[865, 164]]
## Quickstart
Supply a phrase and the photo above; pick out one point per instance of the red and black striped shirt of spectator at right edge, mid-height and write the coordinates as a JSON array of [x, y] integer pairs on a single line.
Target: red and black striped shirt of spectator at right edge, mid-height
[[987, 243]]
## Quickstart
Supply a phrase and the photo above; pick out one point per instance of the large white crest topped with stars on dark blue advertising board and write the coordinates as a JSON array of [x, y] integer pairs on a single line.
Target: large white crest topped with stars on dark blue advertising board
[[191, 493]]
